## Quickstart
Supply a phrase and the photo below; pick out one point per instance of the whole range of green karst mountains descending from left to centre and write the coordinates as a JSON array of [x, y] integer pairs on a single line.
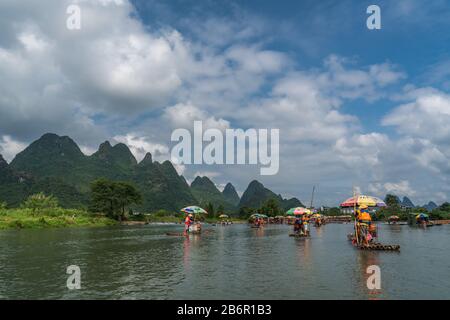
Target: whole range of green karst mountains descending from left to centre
[[55, 165]]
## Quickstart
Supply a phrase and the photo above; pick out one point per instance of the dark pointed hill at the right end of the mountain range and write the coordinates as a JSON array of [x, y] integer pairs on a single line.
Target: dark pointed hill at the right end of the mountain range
[[256, 195]]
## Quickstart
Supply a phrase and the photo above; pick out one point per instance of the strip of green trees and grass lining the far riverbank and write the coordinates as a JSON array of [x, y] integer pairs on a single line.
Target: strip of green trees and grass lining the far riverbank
[[112, 202]]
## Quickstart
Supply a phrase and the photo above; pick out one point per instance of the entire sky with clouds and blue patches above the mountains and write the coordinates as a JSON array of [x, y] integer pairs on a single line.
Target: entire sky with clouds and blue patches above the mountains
[[355, 107]]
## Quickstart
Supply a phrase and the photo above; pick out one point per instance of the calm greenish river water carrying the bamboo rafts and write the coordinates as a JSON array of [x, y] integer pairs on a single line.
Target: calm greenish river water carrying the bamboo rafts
[[232, 262]]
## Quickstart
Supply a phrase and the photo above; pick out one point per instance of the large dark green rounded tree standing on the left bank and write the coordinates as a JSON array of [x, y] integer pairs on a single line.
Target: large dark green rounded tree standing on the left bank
[[113, 197]]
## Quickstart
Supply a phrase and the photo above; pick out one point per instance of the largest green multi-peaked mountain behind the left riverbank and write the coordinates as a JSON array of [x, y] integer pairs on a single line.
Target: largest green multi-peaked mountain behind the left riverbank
[[57, 166]]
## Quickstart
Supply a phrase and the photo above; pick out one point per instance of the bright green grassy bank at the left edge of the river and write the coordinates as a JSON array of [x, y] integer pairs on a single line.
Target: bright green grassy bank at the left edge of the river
[[50, 218]]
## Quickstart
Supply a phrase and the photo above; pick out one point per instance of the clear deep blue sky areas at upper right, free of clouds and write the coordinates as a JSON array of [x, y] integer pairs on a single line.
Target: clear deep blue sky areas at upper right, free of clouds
[[414, 35]]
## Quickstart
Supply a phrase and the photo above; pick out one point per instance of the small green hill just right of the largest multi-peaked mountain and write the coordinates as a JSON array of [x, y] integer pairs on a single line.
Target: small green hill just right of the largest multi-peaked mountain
[[205, 191]]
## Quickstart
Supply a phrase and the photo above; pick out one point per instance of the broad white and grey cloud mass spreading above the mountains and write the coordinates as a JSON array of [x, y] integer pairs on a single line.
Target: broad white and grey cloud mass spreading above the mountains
[[117, 77]]
